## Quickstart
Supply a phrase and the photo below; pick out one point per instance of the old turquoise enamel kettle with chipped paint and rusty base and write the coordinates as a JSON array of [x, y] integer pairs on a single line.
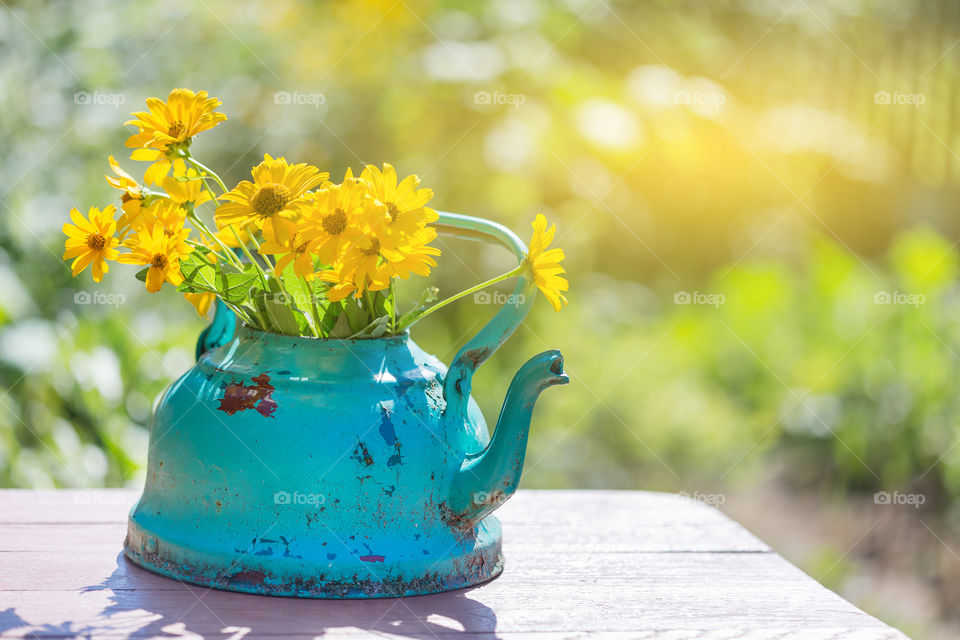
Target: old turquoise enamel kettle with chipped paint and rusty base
[[326, 468]]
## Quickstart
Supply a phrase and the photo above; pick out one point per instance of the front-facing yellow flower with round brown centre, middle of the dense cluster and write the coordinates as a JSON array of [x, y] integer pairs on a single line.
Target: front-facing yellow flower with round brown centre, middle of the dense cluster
[[337, 216]]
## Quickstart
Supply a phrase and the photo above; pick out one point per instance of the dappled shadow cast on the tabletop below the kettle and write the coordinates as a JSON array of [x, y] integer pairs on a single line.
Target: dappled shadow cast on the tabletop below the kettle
[[210, 612]]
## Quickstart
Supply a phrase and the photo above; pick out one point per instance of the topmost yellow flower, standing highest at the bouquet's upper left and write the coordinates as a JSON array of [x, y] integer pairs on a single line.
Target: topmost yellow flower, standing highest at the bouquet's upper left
[[167, 129]]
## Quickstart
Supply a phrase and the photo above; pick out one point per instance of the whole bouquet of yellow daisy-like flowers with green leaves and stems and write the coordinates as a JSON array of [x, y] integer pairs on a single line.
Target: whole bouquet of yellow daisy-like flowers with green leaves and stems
[[293, 252]]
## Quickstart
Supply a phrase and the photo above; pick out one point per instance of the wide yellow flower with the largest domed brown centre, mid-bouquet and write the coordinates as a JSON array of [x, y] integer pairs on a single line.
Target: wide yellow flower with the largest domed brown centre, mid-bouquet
[[277, 190]]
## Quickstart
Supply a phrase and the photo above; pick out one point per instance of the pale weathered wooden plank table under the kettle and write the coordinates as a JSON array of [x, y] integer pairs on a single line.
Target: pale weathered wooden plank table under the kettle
[[578, 564]]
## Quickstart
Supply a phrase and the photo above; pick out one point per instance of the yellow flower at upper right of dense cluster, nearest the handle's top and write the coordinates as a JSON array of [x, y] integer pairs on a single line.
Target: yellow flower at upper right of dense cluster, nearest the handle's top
[[404, 203]]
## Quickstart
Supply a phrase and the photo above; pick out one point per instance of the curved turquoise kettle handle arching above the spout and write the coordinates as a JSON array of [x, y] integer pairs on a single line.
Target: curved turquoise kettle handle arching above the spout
[[457, 384]]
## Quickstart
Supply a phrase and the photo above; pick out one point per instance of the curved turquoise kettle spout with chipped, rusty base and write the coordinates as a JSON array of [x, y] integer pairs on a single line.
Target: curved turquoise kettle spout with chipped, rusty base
[[487, 478]]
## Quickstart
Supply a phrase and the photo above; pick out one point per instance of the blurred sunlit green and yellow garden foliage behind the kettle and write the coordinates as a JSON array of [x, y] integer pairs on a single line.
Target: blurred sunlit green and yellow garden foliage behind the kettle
[[736, 152]]
